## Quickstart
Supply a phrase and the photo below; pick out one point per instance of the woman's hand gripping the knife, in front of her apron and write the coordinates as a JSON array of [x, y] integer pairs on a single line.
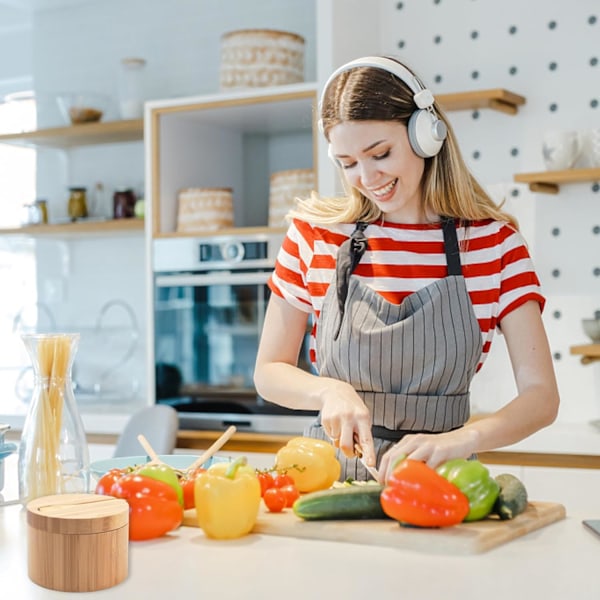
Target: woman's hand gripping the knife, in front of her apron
[[346, 419]]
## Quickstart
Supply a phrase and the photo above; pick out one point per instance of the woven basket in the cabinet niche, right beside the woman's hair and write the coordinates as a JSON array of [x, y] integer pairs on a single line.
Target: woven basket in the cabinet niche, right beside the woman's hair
[[285, 187]]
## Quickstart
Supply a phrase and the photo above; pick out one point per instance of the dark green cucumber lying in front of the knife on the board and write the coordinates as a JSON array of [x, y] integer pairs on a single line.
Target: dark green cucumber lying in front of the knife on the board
[[352, 502]]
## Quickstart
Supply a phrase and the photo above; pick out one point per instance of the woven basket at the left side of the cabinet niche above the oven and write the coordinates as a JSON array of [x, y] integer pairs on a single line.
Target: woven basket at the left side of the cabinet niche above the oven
[[204, 209]]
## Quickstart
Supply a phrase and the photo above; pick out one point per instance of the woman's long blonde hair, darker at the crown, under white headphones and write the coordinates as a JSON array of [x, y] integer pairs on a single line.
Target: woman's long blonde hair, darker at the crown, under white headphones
[[448, 187]]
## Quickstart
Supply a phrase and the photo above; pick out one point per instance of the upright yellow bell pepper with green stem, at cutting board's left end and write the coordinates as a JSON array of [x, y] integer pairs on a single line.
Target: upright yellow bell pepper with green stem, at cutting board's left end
[[227, 498]]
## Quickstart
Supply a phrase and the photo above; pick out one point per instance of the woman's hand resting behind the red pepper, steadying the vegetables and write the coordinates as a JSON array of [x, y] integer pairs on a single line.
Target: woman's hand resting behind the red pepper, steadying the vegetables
[[431, 448]]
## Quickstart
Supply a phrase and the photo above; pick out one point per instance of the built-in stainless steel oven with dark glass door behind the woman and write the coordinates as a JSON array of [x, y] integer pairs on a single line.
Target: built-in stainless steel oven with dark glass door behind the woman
[[210, 296]]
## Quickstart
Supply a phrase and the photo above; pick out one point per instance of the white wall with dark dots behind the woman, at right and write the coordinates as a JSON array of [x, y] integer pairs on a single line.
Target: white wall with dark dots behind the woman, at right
[[549, 53]]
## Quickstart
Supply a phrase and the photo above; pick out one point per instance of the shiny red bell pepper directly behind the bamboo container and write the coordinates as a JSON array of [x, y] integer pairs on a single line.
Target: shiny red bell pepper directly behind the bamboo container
[[154, 507]]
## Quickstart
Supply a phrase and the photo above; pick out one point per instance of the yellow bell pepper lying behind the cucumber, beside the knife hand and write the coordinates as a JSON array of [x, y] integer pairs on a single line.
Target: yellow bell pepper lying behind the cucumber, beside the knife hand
[[312, 463]]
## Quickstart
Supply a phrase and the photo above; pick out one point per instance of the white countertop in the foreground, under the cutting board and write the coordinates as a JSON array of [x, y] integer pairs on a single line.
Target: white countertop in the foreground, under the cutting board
[[554, 563]]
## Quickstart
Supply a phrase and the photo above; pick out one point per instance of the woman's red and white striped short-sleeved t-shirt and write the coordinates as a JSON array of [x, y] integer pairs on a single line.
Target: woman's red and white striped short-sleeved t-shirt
[[401, 259]]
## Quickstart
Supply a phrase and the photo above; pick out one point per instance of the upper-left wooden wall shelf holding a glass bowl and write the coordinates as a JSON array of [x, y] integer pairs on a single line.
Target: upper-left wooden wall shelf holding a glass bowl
[[86, 134]]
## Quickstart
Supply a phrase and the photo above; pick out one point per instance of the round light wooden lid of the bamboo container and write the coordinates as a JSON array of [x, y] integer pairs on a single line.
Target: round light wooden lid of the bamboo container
[[77, 513]]
